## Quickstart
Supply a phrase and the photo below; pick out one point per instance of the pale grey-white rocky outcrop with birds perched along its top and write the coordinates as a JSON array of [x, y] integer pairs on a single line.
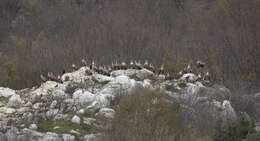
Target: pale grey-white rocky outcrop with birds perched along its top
[[53, 112]]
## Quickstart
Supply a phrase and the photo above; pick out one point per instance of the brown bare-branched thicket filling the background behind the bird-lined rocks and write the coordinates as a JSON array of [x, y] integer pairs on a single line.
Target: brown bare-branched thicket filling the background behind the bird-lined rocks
[[38, 36]]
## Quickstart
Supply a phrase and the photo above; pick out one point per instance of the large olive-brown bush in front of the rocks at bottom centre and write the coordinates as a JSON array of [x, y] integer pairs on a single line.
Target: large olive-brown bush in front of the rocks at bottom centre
[[145, 116]]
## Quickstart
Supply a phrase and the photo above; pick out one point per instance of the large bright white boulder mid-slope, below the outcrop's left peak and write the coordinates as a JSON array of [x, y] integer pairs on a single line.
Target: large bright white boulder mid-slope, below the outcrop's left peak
[[83, 98]]
